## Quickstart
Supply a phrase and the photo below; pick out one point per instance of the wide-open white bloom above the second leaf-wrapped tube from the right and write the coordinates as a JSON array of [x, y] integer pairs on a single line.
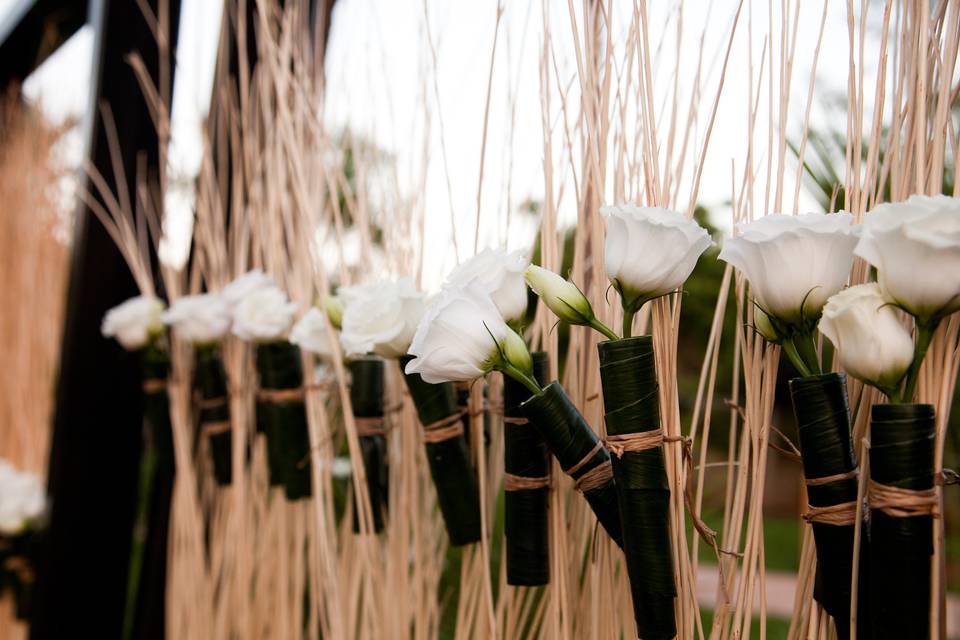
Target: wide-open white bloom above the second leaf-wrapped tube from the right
[[794, 261]]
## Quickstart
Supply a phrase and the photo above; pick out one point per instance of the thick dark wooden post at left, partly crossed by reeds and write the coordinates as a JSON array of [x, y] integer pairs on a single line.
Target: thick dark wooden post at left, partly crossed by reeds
[[95, 454]]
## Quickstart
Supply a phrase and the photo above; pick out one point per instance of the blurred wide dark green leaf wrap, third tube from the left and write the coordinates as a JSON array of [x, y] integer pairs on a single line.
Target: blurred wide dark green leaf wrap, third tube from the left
[[284, 418]]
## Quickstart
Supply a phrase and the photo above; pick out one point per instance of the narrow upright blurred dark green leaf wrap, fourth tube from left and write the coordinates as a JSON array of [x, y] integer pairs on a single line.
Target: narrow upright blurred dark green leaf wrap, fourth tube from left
[[366, 397]]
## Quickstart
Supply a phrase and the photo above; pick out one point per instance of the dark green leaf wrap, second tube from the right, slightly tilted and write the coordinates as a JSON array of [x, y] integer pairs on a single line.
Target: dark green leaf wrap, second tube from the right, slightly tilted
[[823, 420]]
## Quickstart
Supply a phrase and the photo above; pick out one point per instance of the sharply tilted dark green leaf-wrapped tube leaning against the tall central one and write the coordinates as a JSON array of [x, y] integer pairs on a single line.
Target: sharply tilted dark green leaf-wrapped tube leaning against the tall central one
[[571, 440]]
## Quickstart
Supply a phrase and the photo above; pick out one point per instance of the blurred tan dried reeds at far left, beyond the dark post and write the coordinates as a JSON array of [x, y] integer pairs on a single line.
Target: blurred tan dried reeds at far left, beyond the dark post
[[33, 276]]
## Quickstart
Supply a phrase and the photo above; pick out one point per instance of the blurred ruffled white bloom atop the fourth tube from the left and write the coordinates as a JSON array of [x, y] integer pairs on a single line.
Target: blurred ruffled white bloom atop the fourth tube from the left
[[380, 317]]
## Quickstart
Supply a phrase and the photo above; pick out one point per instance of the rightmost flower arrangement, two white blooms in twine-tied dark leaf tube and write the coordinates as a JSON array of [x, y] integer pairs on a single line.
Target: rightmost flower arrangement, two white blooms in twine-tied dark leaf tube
[[866, 325]]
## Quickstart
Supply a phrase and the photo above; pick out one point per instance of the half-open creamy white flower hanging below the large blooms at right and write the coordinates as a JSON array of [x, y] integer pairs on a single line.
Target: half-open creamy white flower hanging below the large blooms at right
[[871, 341]]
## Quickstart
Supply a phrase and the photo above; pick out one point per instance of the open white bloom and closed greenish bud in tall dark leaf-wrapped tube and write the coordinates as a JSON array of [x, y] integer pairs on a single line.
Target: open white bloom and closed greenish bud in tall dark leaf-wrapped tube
[[648, 253]]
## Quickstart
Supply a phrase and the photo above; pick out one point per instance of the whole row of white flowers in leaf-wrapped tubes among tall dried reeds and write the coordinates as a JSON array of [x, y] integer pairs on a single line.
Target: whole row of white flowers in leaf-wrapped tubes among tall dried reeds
[[877, 296]]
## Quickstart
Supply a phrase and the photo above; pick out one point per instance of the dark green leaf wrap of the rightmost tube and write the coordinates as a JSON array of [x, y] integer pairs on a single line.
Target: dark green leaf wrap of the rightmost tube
[[901, 455]]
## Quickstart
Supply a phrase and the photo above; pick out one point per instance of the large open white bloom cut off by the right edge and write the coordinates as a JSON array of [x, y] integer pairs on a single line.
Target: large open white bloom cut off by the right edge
[[915, 246]]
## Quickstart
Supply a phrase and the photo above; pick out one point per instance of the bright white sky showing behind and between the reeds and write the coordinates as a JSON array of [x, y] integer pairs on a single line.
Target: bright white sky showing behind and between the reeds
[[380, 76]]
